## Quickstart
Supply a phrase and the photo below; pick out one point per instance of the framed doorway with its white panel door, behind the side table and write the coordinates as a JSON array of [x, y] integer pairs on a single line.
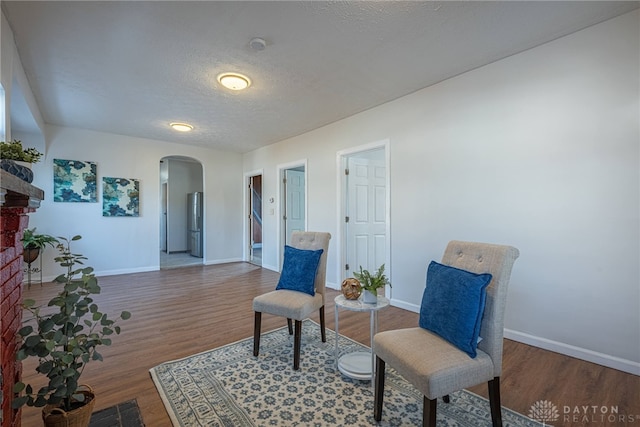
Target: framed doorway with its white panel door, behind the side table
[[364, 209]]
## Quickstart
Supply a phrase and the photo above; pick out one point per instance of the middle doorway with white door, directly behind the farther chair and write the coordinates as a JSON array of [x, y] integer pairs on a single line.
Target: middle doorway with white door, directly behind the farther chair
[[293, 202]]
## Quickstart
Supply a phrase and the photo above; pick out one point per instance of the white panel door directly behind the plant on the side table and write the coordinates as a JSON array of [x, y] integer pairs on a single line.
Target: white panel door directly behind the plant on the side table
[[366, 243]]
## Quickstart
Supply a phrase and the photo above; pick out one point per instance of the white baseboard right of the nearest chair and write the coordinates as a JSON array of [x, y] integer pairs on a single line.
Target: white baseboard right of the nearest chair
[[577, 352]]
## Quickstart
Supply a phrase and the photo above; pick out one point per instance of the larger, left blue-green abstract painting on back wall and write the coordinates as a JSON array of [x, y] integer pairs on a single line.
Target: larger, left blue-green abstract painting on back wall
[[74, 181]]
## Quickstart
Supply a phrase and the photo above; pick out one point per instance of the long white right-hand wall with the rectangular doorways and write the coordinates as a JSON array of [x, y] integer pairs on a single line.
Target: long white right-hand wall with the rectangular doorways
[[540, 151]]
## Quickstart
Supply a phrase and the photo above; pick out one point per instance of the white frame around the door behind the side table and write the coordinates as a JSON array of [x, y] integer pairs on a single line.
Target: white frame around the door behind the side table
[[341, 161]]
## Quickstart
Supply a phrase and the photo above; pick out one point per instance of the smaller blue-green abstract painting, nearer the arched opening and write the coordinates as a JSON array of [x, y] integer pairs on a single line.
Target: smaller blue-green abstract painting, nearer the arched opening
[[120, 197]]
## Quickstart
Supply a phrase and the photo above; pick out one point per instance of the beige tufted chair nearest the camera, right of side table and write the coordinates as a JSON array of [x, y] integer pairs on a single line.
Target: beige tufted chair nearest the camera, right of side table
[[436, 367]]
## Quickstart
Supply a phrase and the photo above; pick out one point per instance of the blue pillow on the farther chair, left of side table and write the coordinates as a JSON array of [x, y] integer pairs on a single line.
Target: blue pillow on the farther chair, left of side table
[[299, 270]]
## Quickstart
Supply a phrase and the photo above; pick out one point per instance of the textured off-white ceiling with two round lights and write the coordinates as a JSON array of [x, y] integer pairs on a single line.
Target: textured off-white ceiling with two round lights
[[132, 67]]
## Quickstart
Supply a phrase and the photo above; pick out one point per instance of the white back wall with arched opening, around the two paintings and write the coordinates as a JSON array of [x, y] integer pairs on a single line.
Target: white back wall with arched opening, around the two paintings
[[117, 245]]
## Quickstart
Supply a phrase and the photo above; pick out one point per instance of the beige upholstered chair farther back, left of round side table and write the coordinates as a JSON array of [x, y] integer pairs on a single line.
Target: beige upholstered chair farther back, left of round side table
[[293, 304]]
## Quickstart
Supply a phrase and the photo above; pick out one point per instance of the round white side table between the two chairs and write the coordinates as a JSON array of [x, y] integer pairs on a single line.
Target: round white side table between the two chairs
[[359, 365]]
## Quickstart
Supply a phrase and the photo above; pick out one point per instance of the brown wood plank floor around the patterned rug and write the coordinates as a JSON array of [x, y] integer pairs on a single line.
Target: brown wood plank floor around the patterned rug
[[180, 312]]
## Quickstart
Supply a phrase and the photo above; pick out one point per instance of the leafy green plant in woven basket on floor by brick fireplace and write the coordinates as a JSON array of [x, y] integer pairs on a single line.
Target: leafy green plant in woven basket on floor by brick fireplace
[[64, 336]]
